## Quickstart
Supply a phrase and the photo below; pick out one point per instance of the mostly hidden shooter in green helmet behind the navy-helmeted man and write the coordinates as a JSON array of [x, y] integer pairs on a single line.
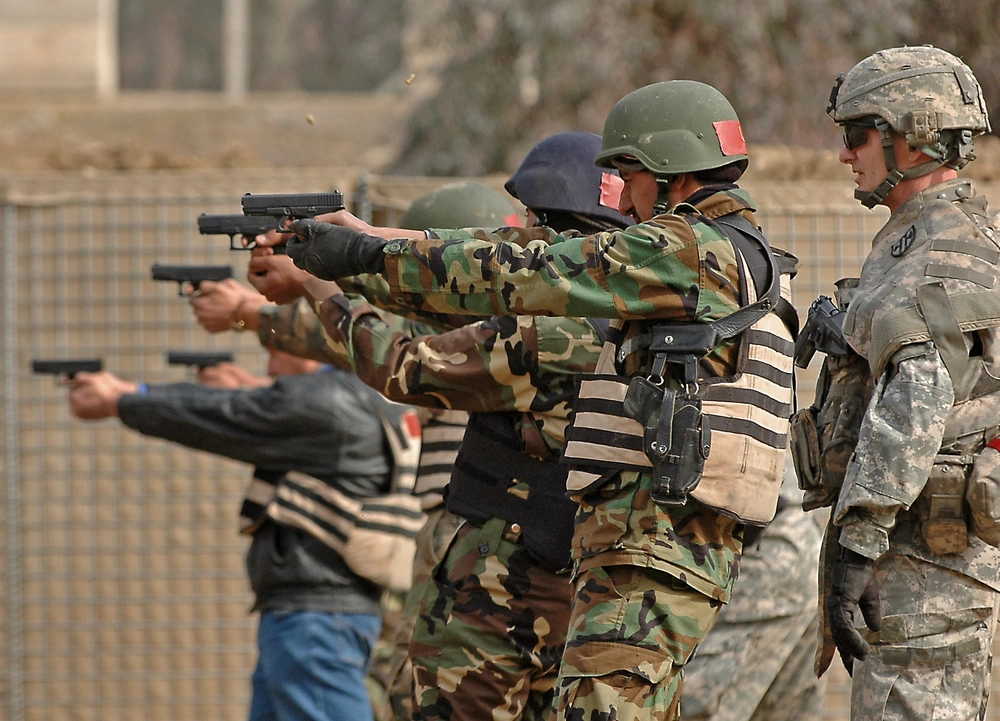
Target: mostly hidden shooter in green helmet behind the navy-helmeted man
[[294, 328]]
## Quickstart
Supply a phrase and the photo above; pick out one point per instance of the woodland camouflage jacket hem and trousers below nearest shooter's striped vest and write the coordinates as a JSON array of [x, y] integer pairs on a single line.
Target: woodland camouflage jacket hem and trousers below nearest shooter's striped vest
[[650, 583]]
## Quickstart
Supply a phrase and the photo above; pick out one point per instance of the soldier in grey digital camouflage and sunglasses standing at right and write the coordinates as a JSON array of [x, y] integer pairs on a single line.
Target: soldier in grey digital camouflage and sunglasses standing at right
[[914, 541]]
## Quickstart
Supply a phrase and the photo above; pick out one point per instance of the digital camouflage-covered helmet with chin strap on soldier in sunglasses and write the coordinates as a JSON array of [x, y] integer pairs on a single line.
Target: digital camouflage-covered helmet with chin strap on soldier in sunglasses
[[925, 94]]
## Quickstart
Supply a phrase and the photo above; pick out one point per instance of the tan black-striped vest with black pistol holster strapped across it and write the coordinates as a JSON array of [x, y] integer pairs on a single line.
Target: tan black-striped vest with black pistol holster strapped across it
[[722, 443]]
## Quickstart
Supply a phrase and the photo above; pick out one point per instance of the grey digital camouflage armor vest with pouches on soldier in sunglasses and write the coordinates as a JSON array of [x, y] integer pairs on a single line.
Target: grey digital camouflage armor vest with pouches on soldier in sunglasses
[[933, 275]]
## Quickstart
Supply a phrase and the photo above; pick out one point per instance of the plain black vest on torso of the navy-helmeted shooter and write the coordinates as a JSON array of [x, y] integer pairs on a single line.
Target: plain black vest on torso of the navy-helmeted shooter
[[489, 462]]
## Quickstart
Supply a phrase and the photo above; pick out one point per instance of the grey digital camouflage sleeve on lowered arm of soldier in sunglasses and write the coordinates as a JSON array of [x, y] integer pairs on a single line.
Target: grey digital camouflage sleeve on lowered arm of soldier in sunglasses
[[900, 435]]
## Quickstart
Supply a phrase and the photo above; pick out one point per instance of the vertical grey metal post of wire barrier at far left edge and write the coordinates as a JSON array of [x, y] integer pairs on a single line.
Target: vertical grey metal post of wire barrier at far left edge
[[12, 468]]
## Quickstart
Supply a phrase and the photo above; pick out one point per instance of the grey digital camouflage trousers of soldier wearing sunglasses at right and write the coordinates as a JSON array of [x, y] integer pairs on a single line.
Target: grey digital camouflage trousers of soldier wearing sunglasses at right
[[932, 657]]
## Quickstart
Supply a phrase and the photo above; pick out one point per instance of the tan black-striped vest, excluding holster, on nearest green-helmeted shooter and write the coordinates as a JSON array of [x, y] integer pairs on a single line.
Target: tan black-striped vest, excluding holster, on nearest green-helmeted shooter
[[742, 432]]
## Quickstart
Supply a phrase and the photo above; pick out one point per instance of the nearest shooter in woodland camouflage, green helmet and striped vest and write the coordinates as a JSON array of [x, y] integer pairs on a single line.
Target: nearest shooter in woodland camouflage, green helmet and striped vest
[[653, 565]]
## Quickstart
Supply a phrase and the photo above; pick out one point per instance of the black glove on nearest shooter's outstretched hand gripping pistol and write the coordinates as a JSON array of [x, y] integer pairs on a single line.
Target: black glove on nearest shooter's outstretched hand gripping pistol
[[331, 252]]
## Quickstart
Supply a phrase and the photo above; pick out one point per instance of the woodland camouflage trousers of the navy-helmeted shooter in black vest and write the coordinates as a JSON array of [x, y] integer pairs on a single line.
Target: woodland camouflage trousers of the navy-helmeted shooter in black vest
[[491, 630]]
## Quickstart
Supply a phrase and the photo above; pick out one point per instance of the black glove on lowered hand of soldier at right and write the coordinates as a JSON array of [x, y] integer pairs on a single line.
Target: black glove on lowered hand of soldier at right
[[853, 587]]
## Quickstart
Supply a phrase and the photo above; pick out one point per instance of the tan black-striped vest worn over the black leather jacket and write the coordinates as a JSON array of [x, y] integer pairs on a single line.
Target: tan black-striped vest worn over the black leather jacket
[[375, 536]]
